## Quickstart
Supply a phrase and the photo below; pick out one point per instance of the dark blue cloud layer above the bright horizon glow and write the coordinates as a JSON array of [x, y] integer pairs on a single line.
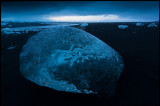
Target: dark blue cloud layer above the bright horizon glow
[[148, 10]]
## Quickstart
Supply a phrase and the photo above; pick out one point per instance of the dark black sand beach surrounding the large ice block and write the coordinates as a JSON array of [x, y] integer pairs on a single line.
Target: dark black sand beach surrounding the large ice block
[[138, 84]]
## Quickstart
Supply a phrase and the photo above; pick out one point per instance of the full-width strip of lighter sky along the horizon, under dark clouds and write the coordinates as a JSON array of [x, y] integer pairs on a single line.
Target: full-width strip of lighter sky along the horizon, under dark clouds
[[76, 18]]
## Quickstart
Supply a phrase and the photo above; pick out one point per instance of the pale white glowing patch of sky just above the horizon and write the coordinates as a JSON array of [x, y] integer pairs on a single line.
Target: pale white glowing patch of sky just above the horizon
[[88, 18]]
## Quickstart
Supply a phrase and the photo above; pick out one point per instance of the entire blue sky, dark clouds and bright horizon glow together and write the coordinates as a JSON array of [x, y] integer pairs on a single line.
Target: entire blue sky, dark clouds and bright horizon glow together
[[80, 11]]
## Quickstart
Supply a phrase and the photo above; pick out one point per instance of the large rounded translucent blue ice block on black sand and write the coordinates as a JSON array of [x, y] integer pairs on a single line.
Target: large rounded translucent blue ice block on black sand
[[72, 60]]
